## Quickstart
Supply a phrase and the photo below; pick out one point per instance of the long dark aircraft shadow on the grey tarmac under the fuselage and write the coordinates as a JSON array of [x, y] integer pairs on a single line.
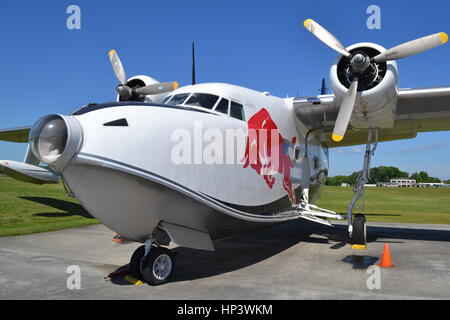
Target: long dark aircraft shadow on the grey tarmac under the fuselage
[[243, 251]]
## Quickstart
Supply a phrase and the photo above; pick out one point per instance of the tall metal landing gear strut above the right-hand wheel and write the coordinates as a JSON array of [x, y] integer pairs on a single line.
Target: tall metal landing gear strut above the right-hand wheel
[[363, 177]]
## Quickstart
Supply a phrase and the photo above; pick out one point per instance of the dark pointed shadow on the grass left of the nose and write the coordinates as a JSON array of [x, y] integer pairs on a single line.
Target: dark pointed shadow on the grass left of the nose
[[69, 208]]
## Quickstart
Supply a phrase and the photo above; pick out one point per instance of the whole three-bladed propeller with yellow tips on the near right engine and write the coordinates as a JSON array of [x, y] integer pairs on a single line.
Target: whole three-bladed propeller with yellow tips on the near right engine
[[360, 62]]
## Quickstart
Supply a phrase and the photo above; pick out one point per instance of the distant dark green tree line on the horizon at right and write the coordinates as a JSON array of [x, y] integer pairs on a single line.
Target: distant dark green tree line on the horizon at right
[[383, 174]]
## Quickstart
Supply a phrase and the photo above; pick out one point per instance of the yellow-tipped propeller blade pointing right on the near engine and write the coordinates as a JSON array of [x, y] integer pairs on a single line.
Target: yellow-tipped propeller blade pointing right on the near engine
[[412, 47]]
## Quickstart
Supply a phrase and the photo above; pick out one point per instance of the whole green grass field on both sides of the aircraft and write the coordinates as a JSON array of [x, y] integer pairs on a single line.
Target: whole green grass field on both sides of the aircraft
[[27, 208]]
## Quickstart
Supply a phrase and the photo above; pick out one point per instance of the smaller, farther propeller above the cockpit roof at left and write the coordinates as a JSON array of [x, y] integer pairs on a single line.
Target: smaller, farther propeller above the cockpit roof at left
[[125, 92]]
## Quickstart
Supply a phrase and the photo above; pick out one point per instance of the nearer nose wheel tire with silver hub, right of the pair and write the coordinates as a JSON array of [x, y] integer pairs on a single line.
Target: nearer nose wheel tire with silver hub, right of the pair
[[152, 272]]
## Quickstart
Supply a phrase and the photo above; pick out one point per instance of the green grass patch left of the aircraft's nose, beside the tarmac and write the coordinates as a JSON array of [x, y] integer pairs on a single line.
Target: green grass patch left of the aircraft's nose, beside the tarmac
[[28, 208]]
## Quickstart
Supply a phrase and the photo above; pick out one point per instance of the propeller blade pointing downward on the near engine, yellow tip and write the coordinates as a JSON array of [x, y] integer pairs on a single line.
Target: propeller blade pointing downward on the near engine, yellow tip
[[345, 112]]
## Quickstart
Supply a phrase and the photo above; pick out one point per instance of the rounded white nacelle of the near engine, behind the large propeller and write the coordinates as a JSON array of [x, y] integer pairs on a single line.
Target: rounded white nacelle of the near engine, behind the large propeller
[[377, 90]]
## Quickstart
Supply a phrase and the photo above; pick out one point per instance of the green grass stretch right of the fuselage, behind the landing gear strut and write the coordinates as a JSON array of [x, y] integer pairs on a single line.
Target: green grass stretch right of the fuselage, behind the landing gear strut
[[407, 205]]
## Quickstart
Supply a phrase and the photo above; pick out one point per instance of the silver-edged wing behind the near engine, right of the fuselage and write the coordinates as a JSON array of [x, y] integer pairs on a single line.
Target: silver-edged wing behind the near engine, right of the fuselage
[[418, 110]]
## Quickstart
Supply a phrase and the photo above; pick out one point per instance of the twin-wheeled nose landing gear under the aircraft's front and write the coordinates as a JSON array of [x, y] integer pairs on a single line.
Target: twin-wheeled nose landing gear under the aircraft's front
[[152, 264]]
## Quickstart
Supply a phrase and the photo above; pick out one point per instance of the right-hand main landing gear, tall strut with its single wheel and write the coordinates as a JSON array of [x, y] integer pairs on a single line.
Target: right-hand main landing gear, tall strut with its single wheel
[[357, 226]]
